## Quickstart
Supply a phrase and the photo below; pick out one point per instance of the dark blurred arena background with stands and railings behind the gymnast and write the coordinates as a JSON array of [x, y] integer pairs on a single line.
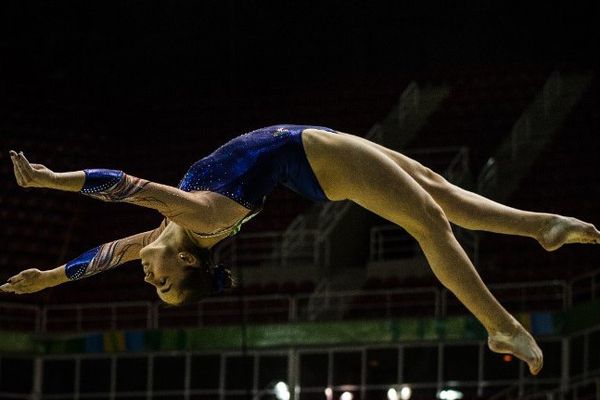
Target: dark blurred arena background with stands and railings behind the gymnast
[[333, 303]]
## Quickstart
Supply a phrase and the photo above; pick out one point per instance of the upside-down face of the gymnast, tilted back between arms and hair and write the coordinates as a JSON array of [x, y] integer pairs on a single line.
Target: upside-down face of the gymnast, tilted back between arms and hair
[[165, 268]]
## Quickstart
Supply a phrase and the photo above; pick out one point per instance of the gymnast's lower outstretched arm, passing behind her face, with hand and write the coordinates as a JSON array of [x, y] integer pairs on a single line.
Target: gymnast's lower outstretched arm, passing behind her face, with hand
[[98, 259]]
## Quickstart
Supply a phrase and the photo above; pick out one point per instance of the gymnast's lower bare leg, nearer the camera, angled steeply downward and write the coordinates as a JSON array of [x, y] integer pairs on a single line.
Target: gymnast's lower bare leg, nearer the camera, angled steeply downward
[[374, 181]]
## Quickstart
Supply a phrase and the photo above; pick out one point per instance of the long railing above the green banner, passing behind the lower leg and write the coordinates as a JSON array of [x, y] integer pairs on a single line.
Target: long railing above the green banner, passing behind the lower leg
[[394, 303]]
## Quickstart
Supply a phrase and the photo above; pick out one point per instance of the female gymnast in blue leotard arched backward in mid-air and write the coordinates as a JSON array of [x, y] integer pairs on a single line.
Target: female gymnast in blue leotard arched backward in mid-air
[[227, 188]]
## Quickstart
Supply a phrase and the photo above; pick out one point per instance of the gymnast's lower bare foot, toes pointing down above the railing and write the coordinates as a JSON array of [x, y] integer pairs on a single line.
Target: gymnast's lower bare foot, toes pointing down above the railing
[[520, 344]]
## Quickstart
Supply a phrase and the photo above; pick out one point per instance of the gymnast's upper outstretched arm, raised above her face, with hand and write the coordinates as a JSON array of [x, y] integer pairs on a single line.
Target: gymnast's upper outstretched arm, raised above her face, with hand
[[190, 210]]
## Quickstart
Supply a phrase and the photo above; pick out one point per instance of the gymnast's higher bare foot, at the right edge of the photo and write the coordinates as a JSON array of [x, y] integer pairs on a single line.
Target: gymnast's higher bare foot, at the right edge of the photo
[[560, 230]]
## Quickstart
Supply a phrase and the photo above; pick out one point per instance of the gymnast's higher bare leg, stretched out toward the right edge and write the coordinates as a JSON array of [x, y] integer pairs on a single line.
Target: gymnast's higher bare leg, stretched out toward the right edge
[[476, 212]]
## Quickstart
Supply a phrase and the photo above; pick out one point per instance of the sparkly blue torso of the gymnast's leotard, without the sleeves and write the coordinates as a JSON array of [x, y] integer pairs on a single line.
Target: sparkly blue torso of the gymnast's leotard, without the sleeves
[[248, 167]]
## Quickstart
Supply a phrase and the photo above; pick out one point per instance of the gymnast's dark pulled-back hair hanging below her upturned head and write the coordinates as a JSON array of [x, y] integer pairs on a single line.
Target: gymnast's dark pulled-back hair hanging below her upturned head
[[204, 281]]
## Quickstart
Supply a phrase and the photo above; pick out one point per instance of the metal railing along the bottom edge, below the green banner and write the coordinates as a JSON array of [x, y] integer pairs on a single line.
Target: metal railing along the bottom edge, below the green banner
[[480, 382]]
